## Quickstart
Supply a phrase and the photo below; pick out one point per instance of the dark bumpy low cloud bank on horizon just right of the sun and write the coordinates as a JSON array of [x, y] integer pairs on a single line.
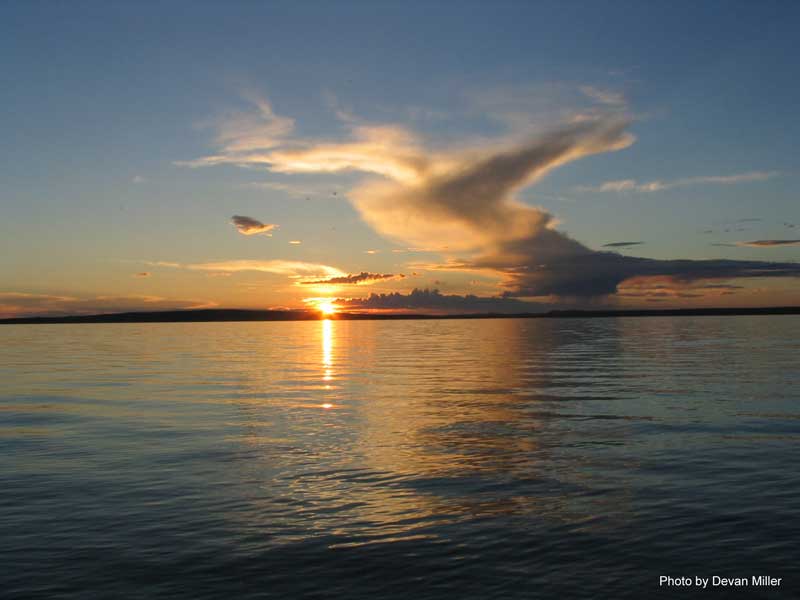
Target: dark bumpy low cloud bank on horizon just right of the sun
[[434, 300]]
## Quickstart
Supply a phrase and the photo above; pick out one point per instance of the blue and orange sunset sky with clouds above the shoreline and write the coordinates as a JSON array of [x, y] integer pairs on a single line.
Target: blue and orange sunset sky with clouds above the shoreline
[[404, 156]]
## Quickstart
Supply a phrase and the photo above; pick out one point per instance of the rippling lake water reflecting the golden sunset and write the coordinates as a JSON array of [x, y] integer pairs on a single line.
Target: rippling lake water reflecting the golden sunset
[[405, 459]]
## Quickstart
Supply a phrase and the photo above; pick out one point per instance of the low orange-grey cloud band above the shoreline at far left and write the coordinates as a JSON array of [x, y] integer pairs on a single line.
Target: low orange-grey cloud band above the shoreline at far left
[[13, 304]]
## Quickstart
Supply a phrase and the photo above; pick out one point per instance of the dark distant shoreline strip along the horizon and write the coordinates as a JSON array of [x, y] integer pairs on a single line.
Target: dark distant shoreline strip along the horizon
[[236, 315]]
